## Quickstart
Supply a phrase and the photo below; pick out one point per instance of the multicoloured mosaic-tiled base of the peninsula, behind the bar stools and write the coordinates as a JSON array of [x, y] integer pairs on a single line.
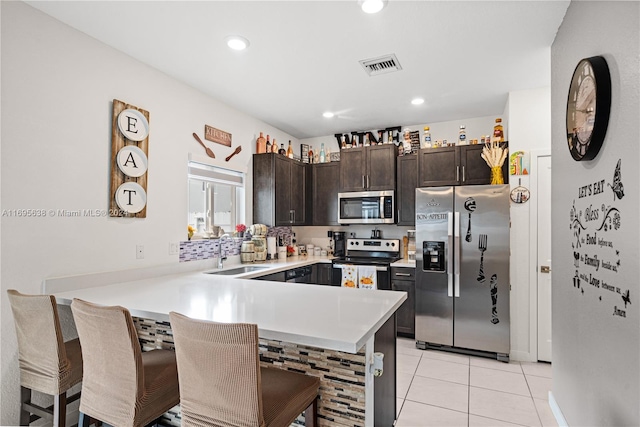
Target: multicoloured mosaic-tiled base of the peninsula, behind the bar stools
[[342, 375]]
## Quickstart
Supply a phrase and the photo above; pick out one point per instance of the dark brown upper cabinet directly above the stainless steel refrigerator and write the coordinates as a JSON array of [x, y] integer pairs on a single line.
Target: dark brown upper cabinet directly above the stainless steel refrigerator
[[461, 165]]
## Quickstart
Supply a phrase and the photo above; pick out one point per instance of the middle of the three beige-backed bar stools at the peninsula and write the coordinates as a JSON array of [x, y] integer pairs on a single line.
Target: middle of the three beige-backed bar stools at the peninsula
[[122, 385]]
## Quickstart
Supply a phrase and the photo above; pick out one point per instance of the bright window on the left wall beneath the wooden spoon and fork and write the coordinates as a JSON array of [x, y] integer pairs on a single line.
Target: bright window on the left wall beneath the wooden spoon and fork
[[216, 198]]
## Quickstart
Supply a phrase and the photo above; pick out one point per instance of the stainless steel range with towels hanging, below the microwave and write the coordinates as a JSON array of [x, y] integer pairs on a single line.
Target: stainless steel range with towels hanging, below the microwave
[[375, 253]]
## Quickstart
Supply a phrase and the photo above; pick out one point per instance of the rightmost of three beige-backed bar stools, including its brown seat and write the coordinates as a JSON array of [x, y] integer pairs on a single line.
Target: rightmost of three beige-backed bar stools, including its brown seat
[[222, 383]]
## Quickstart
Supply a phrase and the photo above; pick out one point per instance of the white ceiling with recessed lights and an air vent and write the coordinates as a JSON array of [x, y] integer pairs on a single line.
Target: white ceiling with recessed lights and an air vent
[[462, 57]]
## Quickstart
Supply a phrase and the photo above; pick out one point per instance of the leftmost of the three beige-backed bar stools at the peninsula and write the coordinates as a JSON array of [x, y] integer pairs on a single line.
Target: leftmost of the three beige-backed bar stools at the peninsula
[[47, 363]]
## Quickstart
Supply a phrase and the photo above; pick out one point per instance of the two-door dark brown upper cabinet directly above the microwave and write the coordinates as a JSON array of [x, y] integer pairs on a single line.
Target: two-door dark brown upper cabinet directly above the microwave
[[368, 168]]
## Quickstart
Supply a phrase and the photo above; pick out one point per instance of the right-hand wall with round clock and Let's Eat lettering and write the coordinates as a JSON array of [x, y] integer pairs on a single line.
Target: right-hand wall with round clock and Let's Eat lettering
[[596, 354]]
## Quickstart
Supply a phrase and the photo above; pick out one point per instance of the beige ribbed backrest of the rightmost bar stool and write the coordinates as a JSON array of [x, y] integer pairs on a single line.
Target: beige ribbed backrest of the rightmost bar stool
[[218, 371]]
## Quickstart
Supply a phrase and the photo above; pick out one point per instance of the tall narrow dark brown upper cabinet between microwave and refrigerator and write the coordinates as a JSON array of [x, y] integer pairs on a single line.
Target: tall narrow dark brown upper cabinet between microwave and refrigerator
[[407, 181]]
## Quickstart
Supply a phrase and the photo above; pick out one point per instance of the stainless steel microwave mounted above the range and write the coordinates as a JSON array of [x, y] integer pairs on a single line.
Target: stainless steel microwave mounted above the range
[[366, 207]]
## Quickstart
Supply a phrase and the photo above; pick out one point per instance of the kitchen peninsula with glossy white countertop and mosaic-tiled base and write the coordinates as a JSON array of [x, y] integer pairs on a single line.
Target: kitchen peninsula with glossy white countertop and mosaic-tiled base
[[325, 331]]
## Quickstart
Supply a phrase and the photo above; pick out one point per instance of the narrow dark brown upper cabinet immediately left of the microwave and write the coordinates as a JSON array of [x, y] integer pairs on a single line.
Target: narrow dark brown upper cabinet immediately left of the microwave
[[325, 187]]
